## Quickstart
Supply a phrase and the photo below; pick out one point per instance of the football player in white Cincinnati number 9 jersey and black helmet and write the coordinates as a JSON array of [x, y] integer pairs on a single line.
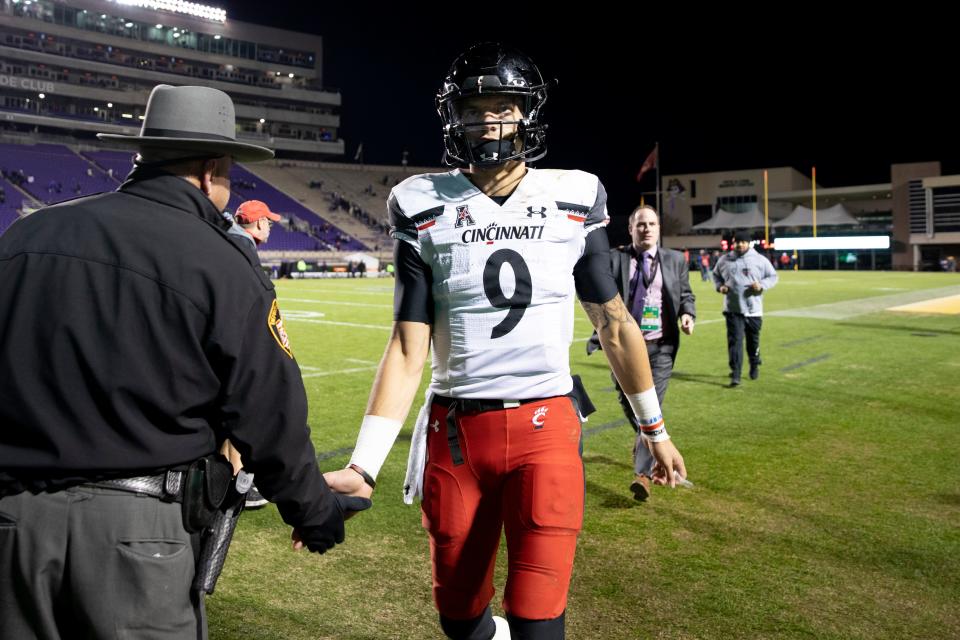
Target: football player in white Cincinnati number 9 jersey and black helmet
[[489, 257]]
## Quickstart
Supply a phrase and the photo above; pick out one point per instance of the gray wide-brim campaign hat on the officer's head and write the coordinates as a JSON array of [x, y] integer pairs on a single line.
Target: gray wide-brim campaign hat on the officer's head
[[195, 119]]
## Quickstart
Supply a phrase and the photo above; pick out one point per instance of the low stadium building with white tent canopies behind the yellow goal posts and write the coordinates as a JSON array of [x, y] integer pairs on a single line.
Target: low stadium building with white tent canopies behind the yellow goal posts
[[909, 223]]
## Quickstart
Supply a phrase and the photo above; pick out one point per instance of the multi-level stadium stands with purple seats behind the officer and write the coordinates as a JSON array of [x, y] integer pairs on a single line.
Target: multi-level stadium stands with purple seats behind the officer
[[69, 70]]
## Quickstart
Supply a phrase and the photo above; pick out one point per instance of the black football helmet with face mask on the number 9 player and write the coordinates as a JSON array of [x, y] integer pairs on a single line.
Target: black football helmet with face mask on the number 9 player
[[492, 69]]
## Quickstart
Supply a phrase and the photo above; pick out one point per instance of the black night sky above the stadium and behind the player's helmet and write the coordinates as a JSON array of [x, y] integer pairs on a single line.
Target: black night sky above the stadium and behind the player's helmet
[[720, 91]]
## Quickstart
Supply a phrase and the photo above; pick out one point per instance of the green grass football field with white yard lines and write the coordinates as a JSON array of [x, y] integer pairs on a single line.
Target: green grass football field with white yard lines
[[826, 505]]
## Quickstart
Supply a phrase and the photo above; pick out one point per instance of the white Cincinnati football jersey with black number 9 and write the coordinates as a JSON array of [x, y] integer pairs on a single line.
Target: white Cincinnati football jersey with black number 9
[[503, 286]]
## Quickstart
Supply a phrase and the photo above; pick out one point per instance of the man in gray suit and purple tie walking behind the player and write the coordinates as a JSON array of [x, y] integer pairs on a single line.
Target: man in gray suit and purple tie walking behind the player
[[655, 285]]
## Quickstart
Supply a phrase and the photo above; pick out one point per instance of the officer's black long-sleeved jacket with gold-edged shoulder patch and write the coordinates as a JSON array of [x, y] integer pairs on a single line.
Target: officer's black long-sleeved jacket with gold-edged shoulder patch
[[135, 336]]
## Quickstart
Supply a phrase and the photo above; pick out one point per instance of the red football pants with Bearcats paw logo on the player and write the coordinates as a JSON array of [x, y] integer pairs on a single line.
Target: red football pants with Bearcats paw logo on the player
[[521, 472]]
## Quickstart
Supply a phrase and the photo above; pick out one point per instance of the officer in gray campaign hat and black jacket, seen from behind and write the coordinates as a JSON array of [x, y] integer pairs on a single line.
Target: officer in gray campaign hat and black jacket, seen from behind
[[135, 336]]
